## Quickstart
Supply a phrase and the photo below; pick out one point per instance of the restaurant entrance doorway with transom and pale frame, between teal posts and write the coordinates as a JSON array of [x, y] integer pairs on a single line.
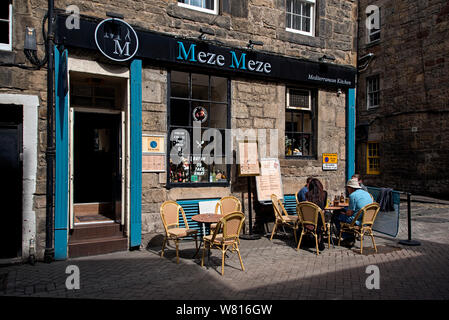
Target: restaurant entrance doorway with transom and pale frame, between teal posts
[[97, 151]]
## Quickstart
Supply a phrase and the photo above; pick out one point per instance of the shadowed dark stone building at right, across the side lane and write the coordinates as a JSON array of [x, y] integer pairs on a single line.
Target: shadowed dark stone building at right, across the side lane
[[406, 80]]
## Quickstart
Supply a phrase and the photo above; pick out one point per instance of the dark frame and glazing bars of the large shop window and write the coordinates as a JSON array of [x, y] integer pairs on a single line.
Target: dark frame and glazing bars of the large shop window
[[170, 184]]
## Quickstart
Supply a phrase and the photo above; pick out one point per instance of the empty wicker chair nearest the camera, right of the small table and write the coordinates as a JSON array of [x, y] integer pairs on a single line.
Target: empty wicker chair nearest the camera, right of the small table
[[231, 226]]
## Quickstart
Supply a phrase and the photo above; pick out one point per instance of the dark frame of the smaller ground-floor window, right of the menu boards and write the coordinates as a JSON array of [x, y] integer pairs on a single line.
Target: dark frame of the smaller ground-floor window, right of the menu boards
[[313, 98]]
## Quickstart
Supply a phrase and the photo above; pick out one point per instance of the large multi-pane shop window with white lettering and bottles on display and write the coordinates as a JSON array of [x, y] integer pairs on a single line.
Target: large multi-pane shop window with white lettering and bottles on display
[[198, 119]]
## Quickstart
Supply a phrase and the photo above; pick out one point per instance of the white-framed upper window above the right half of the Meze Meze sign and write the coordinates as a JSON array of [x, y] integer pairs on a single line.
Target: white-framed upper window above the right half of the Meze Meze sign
[[301, 16]]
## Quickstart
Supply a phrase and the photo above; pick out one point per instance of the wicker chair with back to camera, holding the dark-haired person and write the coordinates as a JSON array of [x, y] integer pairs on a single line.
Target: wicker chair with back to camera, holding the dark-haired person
[[309, 214]]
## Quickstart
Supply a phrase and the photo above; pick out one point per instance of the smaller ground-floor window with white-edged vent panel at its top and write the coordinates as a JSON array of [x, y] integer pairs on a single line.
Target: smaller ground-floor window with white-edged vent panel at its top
[[299, 124]]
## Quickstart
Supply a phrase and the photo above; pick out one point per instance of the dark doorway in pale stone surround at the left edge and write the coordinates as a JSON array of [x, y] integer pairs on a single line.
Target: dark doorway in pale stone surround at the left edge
[[11, 180]]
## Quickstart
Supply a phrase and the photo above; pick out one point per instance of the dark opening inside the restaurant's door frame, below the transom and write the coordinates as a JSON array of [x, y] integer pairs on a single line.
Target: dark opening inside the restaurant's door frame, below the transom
[[97, 187]]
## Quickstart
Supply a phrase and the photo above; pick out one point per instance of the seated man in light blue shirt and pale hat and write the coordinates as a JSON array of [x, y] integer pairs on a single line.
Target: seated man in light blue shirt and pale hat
[[358, 198]]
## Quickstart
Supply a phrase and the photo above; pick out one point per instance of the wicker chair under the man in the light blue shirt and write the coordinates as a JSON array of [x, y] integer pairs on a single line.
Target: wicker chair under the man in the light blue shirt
[[368, 214]]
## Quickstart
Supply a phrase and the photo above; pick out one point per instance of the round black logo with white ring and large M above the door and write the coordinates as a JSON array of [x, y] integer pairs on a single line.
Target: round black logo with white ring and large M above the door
[[116, 39]]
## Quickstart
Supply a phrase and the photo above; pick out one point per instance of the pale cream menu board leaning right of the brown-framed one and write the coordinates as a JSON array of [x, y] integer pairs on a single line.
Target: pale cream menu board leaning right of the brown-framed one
[[269, 182]]
